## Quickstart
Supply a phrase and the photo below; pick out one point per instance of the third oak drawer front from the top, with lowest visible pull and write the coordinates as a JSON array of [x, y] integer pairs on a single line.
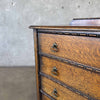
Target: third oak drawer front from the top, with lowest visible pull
[[62, 93]]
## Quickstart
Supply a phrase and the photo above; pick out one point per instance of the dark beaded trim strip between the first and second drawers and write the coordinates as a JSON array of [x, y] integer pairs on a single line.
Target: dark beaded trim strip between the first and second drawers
[[76, 64]]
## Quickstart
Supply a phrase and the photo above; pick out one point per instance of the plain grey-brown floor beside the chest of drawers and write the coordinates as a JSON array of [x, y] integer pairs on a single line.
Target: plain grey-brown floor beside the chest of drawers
[[17, 84]]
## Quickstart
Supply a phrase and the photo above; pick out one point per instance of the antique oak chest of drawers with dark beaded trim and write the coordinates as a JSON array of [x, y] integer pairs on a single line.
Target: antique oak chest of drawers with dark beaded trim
[[67, 62]]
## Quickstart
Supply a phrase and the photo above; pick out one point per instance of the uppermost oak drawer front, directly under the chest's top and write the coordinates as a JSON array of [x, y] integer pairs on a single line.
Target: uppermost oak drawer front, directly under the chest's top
[[85, 50]]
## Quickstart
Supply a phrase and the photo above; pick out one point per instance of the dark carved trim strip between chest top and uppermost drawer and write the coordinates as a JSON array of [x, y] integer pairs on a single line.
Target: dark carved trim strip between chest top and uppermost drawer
[[86, 33]]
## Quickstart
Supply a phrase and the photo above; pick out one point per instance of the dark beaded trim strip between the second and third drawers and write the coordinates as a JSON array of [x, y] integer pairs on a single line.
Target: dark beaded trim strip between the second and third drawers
[[87, 96]]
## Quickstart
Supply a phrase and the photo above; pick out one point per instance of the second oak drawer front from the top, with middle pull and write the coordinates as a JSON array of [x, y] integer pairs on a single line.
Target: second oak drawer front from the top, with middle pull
[[83, 80]]
